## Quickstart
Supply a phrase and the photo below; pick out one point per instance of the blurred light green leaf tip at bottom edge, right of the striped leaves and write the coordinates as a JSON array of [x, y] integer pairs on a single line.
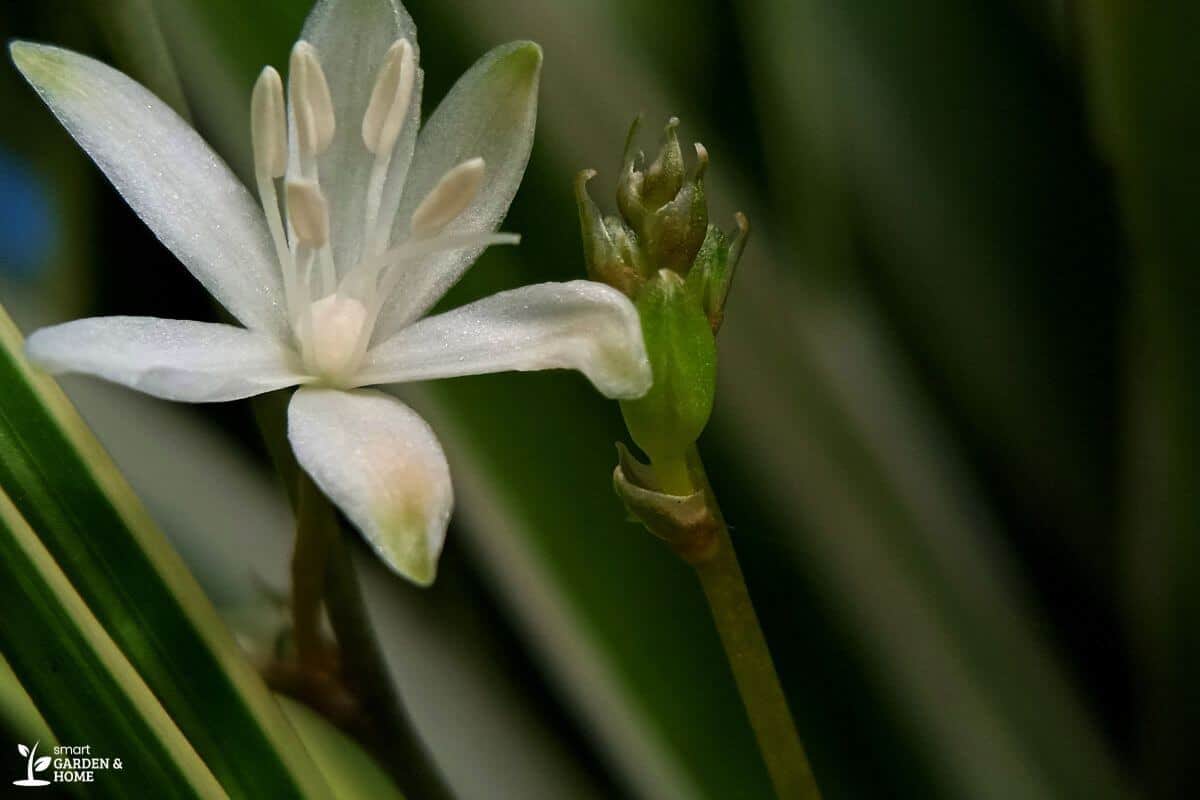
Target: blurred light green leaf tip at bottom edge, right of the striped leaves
[[346, 767]]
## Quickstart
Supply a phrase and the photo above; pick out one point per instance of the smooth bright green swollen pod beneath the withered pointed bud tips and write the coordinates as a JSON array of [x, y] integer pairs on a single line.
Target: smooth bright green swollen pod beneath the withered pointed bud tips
[[683, 357]]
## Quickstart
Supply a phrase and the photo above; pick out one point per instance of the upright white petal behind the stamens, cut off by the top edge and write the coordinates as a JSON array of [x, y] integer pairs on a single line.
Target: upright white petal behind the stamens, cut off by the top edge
[[352, 38]]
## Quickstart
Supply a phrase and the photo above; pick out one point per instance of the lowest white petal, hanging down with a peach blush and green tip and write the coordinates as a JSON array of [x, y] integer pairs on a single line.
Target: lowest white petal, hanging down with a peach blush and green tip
[[383, 467]]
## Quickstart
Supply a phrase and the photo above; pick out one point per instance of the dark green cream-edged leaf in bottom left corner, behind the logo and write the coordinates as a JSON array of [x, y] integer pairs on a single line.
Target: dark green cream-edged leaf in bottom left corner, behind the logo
[[87, 690]]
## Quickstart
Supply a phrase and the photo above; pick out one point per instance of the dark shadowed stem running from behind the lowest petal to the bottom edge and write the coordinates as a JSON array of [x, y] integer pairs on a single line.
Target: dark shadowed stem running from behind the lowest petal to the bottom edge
[[393, 737]]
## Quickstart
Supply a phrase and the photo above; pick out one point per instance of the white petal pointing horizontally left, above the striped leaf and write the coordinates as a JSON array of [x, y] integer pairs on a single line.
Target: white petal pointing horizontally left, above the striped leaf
[[173, 359]]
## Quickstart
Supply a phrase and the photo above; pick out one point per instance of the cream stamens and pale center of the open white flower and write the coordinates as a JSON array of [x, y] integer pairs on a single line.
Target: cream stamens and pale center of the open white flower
[[290, 137]]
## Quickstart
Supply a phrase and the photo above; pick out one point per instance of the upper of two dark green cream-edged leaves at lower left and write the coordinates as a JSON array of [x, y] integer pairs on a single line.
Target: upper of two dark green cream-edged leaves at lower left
[[64, 484]]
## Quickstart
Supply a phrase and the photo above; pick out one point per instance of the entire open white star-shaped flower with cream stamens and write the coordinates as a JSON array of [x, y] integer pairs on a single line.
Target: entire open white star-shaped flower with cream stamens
[[379, 224]]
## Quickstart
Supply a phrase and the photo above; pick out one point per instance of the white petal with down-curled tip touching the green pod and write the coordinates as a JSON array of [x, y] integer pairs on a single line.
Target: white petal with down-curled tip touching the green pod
[[579, 326]]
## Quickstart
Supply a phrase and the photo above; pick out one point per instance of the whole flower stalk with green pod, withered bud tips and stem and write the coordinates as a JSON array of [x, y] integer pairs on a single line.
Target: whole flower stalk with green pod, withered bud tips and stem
[[664, 255]]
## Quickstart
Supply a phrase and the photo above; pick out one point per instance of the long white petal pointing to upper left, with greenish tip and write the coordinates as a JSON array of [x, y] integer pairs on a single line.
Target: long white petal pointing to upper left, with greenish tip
[[170, 177]]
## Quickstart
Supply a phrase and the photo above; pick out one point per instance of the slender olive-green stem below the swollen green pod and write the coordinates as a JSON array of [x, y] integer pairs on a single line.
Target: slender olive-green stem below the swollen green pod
[[721, 576]]
